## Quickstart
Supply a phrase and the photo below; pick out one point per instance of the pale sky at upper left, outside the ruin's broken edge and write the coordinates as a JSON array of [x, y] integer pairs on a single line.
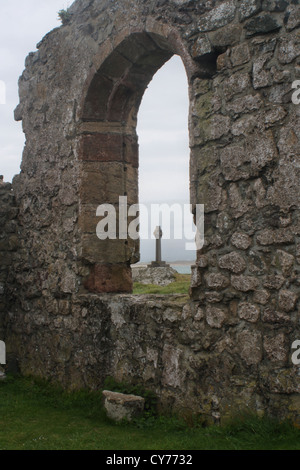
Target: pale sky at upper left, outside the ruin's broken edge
[[23, 23]]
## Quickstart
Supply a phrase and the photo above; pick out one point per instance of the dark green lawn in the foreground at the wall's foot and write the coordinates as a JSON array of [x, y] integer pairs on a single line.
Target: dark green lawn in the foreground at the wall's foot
[[35, 415]]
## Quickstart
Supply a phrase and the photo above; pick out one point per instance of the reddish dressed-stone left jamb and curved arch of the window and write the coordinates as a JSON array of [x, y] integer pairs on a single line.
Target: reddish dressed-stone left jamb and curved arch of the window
[[108, 151]]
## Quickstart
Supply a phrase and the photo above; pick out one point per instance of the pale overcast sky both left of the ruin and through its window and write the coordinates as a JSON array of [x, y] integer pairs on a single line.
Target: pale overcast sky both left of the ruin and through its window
[[162, 119]]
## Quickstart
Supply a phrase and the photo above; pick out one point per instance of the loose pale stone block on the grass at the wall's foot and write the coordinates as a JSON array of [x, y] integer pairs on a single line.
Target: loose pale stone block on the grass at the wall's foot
[[120, 406]]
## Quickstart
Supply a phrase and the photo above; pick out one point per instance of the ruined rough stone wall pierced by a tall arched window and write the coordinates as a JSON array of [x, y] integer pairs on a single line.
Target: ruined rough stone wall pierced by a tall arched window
[[67, 312]]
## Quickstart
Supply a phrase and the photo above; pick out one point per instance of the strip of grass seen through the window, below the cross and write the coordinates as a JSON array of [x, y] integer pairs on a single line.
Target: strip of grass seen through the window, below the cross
[[181, 285]]
